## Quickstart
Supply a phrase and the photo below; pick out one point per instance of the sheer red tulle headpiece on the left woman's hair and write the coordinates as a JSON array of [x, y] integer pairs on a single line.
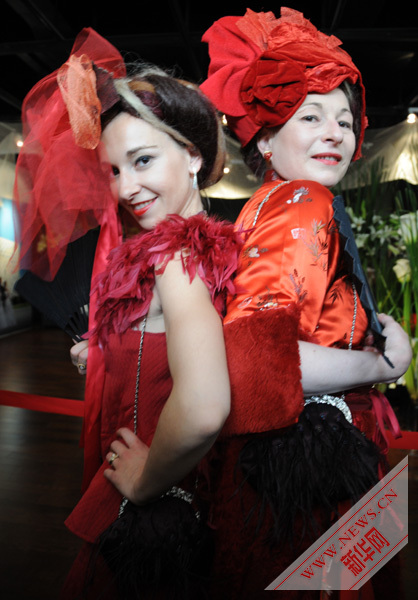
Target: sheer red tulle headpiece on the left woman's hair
[[62, 190]]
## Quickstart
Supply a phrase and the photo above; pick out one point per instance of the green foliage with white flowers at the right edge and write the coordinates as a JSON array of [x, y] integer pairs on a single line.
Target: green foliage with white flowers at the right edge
[[384, 219]]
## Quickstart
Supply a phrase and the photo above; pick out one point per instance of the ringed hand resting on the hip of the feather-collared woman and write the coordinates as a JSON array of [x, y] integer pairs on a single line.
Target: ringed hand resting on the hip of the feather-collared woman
[[125, 470]]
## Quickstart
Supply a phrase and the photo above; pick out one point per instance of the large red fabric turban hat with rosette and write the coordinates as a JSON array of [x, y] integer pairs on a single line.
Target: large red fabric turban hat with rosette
[[262, 68]]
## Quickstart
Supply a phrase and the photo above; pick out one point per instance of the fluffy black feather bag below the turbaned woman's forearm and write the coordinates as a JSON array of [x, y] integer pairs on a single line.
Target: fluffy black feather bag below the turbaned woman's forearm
[[307, 470]]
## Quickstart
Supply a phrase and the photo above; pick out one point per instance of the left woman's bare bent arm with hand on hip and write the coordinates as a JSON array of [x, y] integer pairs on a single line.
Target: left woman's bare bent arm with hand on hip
[[198, 404]]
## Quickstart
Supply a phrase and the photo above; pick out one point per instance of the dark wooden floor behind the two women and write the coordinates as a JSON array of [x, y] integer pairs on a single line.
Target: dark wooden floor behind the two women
[[41, 466]]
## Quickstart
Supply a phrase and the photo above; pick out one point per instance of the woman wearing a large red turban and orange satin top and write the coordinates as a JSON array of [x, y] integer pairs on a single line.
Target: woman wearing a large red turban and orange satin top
[[286, 463]]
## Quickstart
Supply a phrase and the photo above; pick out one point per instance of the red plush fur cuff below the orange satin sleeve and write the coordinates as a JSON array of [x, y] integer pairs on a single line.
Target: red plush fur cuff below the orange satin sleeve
[[264, 369]]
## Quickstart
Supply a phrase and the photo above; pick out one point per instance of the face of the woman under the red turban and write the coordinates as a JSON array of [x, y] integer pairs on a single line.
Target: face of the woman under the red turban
[[317, 143]]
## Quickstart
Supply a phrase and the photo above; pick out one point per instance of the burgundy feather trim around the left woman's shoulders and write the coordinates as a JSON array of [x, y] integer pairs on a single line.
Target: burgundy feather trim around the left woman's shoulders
[[209, 248]]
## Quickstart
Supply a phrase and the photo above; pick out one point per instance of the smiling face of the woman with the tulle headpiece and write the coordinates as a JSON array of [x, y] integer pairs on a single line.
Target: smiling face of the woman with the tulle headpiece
[[153, 174]]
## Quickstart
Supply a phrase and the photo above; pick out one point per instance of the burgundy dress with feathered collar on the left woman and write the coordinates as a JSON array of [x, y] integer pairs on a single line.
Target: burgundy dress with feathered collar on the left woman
[[210, 249]]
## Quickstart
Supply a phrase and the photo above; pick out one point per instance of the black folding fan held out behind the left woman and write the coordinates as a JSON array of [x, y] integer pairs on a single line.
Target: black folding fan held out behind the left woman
[[65, 299]]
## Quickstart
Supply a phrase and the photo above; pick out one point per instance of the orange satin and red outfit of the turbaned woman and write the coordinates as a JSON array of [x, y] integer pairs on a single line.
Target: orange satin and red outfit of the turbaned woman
[[291, 284]]
